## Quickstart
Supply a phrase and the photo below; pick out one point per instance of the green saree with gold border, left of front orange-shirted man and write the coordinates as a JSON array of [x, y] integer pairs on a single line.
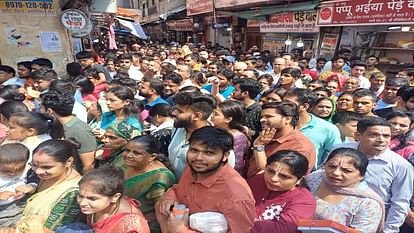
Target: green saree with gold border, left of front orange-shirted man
[[148, 188]]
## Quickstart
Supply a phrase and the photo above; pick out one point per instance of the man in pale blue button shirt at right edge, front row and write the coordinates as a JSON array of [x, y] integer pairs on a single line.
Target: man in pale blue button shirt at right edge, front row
[[388, 173]]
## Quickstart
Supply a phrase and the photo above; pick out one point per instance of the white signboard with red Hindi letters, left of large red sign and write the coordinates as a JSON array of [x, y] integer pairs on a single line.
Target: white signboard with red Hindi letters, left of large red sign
[[297, 22]]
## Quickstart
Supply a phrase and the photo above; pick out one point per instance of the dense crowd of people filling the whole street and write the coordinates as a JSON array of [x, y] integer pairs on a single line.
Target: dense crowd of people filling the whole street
[[200, 139]]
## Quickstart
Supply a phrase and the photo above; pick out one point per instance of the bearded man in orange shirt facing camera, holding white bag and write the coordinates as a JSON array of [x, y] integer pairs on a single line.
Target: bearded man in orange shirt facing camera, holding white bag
[[208, 184]]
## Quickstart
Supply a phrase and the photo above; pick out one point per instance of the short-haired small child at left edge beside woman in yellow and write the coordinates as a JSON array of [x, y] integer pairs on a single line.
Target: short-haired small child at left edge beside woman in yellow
[[15, 182]]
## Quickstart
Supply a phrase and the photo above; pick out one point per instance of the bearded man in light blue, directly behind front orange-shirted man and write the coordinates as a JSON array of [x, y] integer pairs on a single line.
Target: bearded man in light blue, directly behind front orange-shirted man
[[191, 112]]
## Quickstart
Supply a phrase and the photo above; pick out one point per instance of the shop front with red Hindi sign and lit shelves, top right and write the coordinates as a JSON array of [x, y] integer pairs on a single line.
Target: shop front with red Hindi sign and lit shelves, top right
[[372, 27]]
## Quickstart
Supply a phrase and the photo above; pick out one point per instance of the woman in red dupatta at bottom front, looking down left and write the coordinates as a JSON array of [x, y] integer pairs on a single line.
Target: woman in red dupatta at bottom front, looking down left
[[101, 199]]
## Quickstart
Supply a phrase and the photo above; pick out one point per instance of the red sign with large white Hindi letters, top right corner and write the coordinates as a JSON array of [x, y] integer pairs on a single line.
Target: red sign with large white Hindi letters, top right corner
[[365, 12]]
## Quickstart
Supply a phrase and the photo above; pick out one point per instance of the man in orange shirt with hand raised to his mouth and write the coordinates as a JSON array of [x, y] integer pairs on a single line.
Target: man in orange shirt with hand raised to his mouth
[[279, 133]]
